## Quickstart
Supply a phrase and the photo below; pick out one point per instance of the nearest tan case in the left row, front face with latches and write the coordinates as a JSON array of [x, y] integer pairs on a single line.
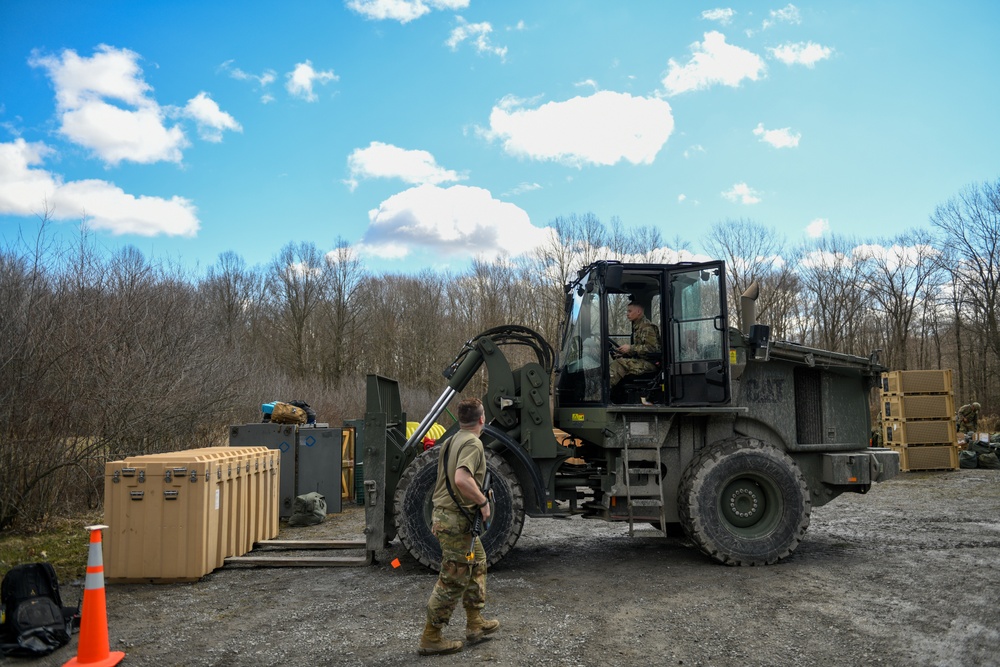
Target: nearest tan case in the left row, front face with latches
[[163, 518]]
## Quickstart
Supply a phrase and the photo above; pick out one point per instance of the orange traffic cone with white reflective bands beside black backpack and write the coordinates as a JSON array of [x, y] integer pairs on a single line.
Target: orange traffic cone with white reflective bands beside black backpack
[[94, 647]]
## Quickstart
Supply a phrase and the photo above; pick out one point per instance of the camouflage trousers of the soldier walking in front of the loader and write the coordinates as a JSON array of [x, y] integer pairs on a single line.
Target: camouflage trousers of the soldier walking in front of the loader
[[459, 579]]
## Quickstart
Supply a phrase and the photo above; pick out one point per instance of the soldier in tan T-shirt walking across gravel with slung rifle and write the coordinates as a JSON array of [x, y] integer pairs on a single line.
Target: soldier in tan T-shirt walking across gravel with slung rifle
[[457, 497]]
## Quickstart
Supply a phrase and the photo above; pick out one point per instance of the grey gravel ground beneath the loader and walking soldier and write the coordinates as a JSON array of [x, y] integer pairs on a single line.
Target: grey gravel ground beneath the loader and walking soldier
[[904, 576]]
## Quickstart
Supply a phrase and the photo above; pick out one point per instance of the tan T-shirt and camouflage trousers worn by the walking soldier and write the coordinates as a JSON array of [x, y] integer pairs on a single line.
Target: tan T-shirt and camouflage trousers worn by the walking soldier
[[459, 579]]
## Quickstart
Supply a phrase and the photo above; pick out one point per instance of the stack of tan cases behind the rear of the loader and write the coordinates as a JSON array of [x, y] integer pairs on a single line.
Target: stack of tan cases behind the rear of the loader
[[918, 419]]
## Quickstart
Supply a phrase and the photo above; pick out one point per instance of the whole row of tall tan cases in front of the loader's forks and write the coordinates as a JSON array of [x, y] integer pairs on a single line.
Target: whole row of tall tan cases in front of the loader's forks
[[177, 516]]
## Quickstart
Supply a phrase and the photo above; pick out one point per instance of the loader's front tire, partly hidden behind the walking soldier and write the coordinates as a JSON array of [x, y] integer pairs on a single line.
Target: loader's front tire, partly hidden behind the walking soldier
[[413, 509]]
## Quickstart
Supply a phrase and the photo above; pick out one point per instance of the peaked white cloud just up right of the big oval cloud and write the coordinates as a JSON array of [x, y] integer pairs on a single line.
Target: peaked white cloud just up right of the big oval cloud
[[712, 62]]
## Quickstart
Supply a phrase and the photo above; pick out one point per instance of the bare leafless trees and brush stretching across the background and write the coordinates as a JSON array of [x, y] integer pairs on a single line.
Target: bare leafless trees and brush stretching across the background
[[108, 355]]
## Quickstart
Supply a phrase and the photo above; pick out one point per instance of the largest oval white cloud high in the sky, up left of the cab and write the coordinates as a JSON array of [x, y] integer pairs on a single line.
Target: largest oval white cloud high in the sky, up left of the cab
[[601, 129]]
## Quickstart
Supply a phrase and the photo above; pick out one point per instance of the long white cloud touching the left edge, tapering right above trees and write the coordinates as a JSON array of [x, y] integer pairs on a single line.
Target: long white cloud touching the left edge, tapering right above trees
[[26, 189]]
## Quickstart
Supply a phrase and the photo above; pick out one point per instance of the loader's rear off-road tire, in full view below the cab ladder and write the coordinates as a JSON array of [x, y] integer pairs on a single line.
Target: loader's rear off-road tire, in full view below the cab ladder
[[744, 502]]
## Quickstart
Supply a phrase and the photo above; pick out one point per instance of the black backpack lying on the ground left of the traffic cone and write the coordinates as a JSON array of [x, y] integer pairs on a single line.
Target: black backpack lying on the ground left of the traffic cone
[[35, 622]]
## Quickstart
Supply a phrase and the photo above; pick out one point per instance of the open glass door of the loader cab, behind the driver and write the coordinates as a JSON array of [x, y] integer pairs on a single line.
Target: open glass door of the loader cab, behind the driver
[[698, 335]]
